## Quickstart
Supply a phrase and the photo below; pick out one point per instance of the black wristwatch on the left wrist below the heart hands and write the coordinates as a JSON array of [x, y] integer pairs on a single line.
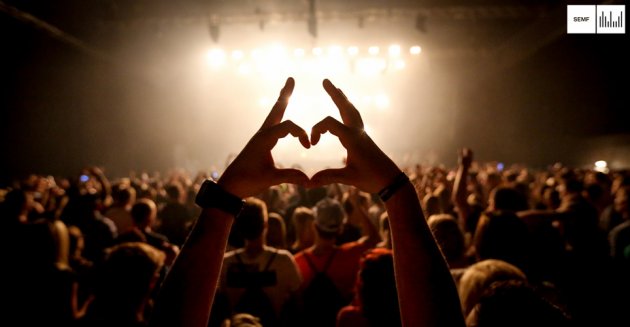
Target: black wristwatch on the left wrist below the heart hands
[[211, 195]]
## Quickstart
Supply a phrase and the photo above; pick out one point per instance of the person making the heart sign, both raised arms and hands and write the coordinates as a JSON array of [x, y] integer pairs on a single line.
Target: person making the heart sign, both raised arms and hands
[[426, 291]]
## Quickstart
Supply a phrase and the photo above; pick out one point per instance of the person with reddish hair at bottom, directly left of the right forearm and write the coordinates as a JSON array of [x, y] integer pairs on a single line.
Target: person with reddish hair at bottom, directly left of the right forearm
[[376, 296]]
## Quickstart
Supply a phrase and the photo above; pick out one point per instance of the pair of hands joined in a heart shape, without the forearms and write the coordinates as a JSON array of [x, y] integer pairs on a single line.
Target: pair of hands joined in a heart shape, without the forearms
[[367, 167]]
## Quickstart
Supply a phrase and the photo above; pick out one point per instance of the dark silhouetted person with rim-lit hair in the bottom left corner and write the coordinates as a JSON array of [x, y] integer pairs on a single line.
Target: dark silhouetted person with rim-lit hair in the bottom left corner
[[39, 287]]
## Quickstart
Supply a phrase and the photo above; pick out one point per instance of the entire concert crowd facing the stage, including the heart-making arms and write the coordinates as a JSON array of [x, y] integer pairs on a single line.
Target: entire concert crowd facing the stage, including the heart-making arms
[[523, 247]]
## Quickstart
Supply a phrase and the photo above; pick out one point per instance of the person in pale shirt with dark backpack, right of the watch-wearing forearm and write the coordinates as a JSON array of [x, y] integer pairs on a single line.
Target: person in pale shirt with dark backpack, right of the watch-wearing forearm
[[258, 279]]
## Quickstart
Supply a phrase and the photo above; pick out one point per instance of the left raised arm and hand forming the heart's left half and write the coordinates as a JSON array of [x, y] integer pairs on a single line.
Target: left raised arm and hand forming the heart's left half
[[187, 293]]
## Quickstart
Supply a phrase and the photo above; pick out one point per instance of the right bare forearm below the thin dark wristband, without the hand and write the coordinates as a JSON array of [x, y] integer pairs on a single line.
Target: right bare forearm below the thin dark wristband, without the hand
[[426, 291]]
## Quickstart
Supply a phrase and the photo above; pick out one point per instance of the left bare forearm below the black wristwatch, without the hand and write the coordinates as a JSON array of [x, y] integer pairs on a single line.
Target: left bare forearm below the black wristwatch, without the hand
[[187, 293]]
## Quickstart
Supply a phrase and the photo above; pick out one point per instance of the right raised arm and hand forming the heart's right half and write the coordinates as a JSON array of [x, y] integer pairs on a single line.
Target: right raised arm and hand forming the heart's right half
[[426, 291]]
